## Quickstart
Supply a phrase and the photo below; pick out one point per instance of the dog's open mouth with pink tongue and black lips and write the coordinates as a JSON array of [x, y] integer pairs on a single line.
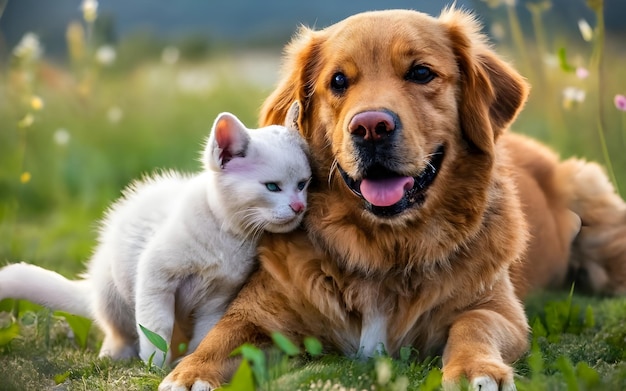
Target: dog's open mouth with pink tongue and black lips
[[388, 193]]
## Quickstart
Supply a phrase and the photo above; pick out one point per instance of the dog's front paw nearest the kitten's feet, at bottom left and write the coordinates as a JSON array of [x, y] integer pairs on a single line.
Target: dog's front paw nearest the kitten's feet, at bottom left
[[190, 376]]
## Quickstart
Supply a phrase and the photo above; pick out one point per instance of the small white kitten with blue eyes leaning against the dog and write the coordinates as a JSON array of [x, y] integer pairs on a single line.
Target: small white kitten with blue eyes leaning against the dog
[[178, 247]]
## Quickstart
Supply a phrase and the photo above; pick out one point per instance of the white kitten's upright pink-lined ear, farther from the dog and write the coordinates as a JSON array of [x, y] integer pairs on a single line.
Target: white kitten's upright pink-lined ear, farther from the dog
[[229, 139]]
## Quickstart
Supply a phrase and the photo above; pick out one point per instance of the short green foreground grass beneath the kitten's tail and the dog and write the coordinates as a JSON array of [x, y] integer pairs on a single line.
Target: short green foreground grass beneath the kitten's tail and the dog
[[589, 356]]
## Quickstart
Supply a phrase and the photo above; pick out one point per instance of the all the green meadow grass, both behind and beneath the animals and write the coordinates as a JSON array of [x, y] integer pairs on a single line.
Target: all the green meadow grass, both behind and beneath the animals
[[51, 196]]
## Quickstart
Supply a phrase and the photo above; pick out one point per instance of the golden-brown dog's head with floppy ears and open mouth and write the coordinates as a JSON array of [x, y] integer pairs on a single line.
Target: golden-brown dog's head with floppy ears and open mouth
[[400, 110]]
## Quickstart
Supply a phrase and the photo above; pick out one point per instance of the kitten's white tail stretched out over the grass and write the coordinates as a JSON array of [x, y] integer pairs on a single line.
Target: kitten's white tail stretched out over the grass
[[47, 288]]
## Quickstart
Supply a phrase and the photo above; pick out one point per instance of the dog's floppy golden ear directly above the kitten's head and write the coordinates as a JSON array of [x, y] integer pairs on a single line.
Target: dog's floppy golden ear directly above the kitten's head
[[301, 63]]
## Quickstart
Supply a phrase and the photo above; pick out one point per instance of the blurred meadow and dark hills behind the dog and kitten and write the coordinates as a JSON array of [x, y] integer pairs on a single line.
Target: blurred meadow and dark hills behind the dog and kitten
[[95, 94]]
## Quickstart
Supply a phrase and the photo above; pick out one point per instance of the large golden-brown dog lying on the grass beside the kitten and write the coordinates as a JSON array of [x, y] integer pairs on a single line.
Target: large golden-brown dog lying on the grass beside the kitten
[[428, 220]]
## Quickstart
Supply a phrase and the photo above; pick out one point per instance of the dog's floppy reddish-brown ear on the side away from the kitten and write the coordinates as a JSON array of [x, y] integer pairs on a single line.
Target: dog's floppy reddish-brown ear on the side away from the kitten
[[491, 91]]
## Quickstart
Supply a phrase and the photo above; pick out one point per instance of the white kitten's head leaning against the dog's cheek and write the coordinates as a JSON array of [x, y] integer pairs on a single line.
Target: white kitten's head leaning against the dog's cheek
[[261, 174]]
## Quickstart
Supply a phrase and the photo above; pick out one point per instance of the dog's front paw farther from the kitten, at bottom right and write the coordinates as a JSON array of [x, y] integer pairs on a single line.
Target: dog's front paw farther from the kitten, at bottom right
[[485, 376]]
